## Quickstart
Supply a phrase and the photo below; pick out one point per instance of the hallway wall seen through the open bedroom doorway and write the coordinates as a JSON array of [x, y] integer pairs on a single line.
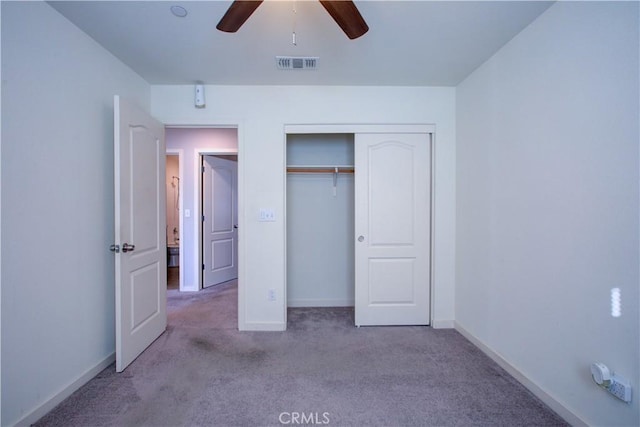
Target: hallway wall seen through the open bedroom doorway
[[191, 143]]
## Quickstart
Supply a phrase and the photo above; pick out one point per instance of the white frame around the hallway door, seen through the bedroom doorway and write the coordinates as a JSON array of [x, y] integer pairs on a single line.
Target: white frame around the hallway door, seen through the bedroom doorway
[[199, 157]]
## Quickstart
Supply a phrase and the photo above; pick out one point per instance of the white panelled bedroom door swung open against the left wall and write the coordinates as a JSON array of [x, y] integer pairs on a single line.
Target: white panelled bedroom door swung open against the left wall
[[140, 245]]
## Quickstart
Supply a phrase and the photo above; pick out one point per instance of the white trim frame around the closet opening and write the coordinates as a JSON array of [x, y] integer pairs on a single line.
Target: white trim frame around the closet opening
[[368, 128]]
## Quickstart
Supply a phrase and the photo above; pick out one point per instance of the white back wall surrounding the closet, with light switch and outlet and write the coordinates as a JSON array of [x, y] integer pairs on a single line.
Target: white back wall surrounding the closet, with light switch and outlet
[[261, 113]]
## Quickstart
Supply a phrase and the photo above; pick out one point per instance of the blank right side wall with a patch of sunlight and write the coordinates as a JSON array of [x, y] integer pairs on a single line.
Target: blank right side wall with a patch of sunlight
[[547, 204]]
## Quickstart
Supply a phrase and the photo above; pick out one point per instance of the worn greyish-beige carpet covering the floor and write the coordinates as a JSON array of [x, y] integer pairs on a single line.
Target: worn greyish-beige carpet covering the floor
[[321, 371]]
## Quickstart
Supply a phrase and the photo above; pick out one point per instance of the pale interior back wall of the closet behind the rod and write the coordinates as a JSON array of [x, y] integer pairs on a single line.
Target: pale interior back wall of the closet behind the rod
[[320, 220]]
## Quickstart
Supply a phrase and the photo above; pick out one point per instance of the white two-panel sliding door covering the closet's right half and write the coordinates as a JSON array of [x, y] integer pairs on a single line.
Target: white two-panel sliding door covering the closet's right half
[[392, 211]]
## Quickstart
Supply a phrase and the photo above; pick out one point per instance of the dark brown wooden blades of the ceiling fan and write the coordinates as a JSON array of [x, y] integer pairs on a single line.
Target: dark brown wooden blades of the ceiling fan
[[344, 12]]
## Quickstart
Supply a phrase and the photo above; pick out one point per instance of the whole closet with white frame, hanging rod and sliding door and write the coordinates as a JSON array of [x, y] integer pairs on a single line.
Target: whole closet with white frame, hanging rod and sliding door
[[358, 222]]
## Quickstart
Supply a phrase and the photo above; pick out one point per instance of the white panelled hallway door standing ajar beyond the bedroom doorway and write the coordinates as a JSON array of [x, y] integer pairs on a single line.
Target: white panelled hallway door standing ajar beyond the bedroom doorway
[[220, 222]]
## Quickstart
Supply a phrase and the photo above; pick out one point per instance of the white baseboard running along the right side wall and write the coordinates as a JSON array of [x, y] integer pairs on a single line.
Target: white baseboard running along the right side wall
[[541, 394]]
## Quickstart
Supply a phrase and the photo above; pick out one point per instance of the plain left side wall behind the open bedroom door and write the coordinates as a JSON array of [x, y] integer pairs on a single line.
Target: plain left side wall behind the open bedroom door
[[58, 204]]
